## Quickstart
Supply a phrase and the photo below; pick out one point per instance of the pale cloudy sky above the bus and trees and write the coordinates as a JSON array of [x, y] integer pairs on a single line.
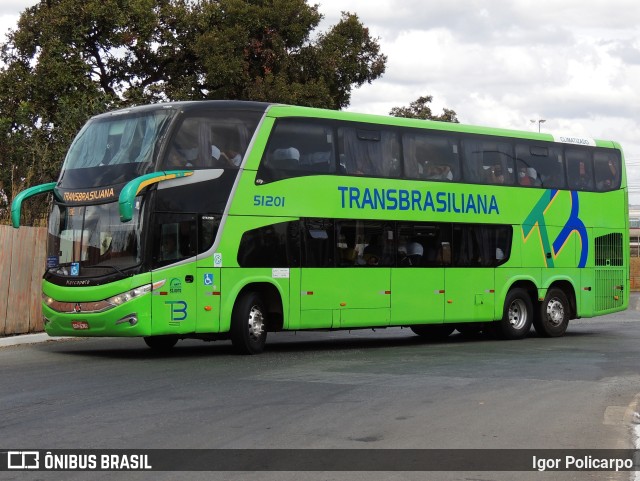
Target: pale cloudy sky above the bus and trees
[[503, 63]]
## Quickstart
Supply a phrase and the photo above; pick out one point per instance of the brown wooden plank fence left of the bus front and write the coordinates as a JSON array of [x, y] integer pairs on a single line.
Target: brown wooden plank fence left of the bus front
[[22, 263]]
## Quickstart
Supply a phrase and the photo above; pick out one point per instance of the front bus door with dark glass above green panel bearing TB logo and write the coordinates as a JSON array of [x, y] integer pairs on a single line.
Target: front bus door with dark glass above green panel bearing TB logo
[[173, 304]]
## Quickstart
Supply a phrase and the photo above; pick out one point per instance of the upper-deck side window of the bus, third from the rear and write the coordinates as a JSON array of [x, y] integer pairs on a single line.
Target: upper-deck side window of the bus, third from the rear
[[542, 164]]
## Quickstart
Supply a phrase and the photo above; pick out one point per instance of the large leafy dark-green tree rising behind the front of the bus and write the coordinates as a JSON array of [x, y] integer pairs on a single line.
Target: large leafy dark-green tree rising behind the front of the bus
[[70, 59]]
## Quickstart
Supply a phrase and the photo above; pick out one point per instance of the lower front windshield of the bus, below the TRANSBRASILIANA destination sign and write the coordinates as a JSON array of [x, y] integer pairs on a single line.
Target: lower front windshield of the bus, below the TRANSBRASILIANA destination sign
[[91, 240]]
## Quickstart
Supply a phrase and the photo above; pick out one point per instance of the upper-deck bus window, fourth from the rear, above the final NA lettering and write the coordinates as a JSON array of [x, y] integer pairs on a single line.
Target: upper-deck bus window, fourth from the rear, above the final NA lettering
[[488, 162]]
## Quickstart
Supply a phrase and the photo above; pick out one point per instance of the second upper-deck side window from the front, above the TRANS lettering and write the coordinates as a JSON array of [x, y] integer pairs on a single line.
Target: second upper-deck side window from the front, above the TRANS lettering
[[368, 151]]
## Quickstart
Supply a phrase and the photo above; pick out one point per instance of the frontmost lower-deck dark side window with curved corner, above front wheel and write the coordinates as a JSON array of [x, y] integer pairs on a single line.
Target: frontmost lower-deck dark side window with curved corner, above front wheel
[[275, 245]]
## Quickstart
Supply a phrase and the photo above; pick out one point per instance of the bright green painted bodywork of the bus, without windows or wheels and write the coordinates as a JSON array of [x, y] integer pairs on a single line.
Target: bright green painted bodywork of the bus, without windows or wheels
[[356, 297]]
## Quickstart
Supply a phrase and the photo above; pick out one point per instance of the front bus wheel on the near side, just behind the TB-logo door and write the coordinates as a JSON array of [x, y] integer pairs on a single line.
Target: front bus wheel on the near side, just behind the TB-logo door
[[249, 324]]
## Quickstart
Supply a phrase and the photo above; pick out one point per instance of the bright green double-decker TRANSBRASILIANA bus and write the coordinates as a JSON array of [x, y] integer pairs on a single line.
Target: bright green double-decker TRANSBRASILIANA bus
[[227, 220]]
